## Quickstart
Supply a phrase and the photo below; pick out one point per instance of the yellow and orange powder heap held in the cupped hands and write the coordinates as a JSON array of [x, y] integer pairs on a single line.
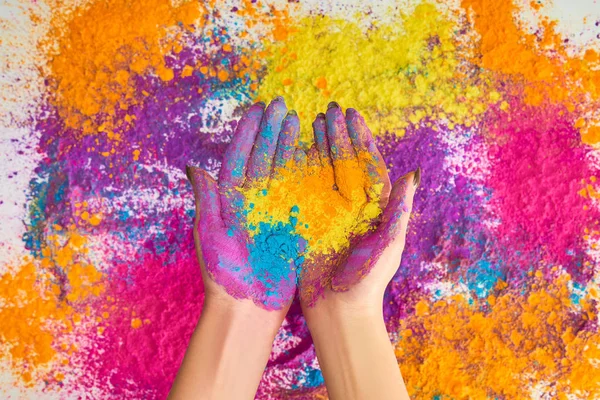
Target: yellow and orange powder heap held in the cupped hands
[[325, 221]]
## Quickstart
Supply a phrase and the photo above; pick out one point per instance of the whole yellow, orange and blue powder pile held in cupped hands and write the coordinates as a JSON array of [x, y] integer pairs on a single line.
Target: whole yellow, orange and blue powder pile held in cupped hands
[[325, 205]]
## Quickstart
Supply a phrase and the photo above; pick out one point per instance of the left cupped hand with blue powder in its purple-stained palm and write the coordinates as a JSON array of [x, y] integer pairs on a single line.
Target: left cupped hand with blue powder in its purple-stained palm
[[238, 259]]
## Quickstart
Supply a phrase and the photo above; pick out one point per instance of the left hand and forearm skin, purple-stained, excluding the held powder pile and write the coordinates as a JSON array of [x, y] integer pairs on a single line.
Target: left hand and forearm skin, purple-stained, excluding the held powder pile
[[239, 321]]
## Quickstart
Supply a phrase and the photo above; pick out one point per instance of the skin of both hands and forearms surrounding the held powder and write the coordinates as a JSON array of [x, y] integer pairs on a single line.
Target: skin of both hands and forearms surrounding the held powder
[[239, 320]]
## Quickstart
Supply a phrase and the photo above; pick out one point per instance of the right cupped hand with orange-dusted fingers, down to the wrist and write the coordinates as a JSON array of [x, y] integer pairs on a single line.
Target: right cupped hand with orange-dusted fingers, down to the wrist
[[355, 276]]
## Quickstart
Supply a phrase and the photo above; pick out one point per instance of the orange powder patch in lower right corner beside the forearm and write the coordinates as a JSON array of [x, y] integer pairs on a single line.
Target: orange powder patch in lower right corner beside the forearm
[[459, 351]]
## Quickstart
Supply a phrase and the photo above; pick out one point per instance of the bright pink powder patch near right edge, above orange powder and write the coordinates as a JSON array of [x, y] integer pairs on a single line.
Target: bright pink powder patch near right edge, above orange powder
[[538, 167]]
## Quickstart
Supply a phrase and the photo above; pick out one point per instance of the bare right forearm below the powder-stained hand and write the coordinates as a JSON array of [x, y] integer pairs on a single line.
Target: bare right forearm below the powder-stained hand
[[355, 355]]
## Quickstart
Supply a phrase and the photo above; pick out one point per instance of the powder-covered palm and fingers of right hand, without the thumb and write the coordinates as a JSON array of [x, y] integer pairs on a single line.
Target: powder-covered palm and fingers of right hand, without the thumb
[[359, 179]]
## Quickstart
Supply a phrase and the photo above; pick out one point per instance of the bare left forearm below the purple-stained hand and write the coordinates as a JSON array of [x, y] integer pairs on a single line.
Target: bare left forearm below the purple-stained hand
[[230, 344]]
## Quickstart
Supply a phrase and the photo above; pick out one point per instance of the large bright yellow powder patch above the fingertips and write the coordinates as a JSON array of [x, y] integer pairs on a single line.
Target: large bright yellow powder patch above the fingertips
[[395, 76]]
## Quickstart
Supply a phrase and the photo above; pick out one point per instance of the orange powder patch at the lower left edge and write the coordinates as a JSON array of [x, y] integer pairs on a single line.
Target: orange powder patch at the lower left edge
[[35, 311]]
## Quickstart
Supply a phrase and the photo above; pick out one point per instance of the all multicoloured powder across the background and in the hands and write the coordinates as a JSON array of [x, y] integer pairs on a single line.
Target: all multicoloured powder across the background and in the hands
[[104, 103]]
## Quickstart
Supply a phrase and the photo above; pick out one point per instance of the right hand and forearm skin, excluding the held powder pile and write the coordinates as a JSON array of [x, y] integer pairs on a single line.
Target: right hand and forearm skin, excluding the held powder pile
[[346, 322]]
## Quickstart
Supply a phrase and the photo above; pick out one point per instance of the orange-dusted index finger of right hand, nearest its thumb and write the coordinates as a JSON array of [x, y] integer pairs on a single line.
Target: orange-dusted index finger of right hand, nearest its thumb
[[378, 183]]
